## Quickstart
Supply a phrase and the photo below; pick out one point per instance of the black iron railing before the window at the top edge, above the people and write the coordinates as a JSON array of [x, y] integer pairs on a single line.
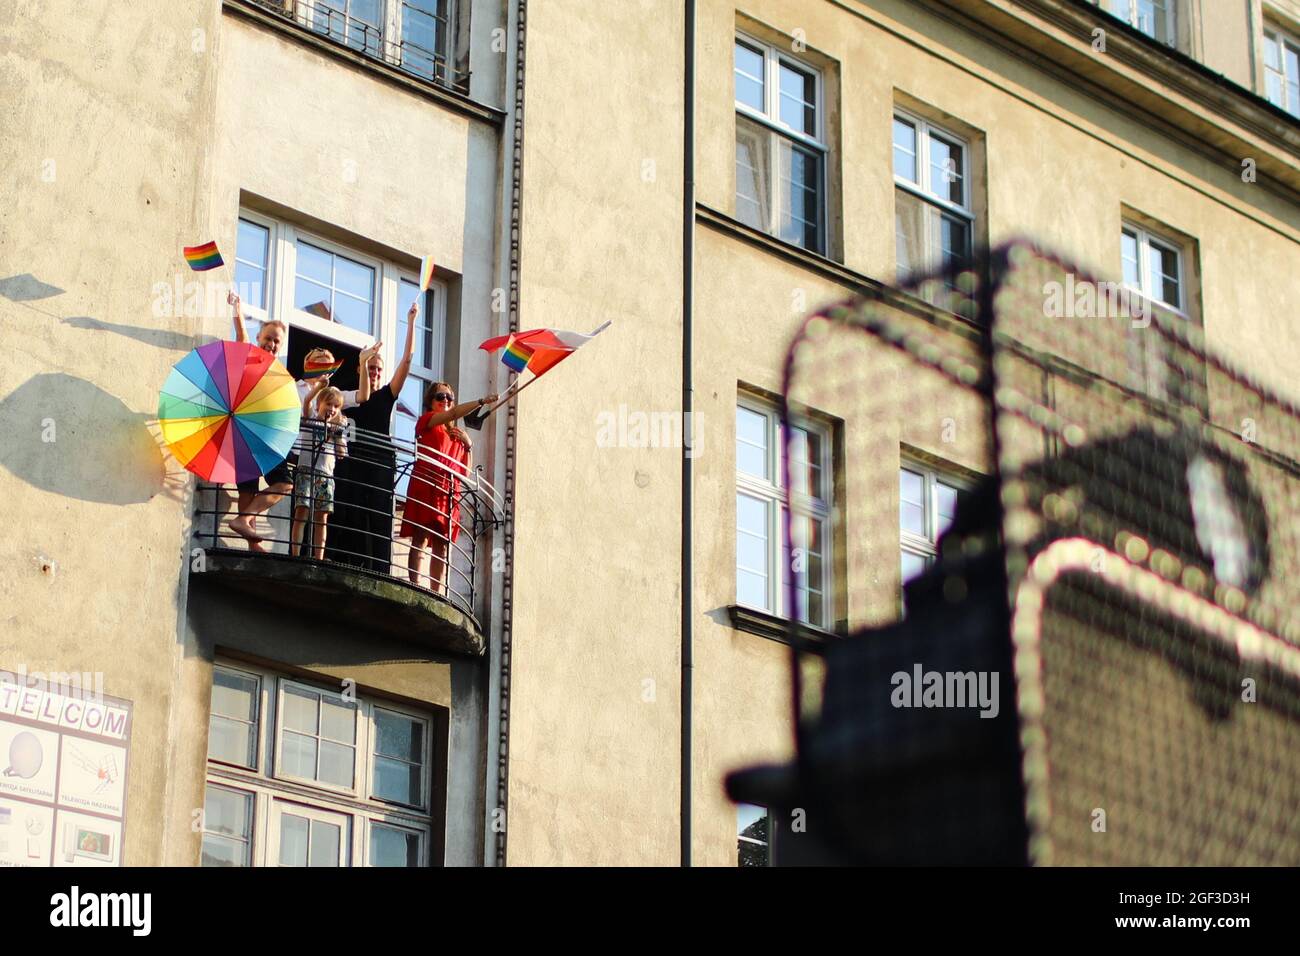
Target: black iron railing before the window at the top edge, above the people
[[414, 40]]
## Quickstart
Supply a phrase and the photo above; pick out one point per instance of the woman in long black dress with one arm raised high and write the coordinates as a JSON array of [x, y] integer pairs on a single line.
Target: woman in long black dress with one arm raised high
[[362, 531]]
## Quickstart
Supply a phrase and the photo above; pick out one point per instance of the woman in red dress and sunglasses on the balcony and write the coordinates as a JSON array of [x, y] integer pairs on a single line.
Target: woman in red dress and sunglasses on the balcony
[[431, 516]]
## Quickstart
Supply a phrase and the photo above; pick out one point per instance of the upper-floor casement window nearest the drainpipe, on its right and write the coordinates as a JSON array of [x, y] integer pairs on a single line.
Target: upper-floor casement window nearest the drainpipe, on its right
[[781, 145]]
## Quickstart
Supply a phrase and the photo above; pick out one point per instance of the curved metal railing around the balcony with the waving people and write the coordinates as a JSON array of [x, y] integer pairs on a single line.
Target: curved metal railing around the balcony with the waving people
[[367, 525]]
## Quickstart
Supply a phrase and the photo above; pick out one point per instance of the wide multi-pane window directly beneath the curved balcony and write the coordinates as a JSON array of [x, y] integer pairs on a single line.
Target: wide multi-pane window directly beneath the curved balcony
[[298, 776]]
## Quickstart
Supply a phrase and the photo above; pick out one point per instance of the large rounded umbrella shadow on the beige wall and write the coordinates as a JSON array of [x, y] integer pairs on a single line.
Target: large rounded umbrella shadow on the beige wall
[[67, 436]]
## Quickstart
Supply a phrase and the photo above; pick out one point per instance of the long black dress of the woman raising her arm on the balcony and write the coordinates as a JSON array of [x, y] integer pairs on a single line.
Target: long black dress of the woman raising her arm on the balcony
[[361, 533]]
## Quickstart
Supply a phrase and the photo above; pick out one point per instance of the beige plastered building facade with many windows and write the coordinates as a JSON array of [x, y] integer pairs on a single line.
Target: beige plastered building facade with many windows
[[536, 153]]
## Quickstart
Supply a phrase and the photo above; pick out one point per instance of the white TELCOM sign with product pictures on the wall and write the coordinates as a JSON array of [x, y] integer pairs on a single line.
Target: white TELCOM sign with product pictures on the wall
[[63, 777]]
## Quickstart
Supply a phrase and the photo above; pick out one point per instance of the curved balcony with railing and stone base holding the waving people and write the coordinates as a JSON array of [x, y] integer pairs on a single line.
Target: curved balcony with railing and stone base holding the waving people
[[389, 503]]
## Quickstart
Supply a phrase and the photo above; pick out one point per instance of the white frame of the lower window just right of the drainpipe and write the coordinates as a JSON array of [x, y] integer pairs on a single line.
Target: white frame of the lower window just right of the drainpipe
[[778, 499]]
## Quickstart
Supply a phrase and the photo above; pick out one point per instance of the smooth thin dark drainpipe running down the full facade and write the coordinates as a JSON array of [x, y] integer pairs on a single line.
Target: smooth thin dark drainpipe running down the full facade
[[688, 288]]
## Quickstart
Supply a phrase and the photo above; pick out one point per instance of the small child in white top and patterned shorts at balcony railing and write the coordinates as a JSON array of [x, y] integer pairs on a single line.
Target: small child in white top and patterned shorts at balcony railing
[[322, 443]]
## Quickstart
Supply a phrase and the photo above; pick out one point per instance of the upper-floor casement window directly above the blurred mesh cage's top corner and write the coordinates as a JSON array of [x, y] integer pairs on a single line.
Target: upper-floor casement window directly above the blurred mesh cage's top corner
[[934, 220]]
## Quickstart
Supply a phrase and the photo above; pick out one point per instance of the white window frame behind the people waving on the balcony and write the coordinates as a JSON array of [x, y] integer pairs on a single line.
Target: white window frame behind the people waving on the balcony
[[281, 279]]
